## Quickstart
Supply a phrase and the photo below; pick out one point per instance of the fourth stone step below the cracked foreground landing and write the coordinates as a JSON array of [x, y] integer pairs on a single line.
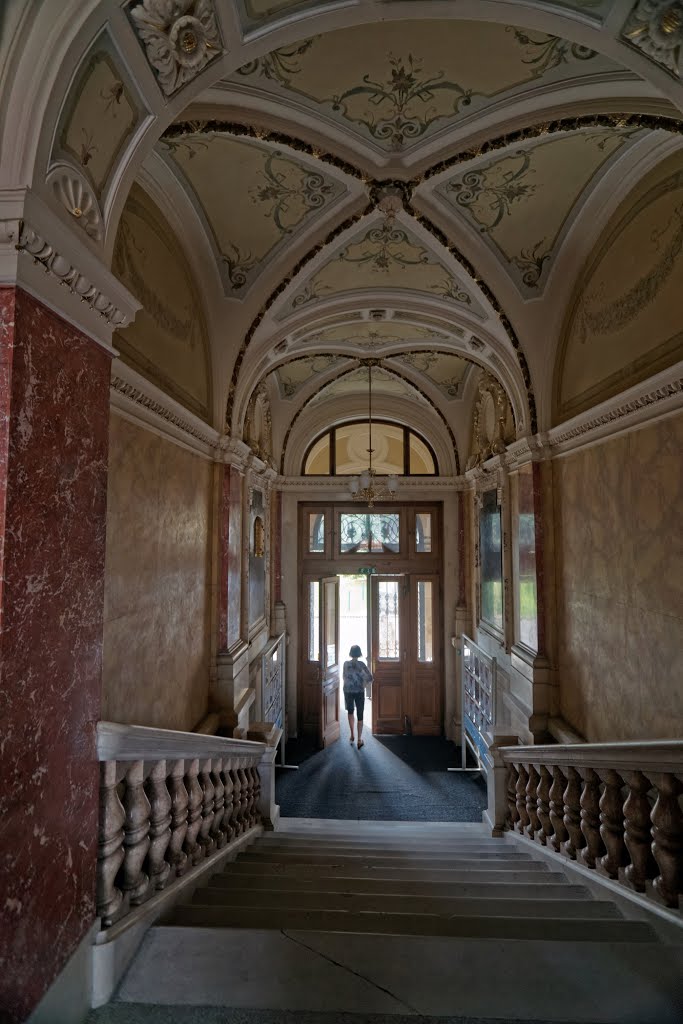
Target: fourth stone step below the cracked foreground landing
[[491, 871]]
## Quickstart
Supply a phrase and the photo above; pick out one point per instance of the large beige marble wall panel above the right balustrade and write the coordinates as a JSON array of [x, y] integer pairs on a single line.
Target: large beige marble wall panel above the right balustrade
[[620, 585]]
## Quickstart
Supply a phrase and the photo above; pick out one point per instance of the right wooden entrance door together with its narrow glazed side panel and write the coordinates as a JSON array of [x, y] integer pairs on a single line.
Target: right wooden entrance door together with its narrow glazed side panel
[[406, 645]]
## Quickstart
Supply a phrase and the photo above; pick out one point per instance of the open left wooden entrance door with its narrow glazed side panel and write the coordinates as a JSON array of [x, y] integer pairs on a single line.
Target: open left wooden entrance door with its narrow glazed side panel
[[321, 664]]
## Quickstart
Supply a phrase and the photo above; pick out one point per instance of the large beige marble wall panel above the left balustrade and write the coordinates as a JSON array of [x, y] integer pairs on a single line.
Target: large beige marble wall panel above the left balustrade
[[158, 582]]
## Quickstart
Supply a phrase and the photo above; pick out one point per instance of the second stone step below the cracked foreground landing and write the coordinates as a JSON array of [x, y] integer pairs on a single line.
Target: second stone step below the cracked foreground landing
[[407, 904]]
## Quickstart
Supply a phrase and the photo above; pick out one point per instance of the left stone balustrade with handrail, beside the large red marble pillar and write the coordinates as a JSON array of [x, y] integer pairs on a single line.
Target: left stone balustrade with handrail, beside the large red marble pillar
[[168, 802]]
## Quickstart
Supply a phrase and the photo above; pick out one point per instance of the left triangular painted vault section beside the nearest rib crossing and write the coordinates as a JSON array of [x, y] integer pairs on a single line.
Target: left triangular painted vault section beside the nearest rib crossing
[[254, 197]]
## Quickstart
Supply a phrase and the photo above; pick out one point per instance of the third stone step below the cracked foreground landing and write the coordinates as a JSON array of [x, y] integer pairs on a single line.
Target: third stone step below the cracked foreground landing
[[542, 887]]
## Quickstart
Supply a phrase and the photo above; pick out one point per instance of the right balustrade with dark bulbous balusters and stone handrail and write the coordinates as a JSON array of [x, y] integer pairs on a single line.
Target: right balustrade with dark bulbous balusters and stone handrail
[[615, 808]]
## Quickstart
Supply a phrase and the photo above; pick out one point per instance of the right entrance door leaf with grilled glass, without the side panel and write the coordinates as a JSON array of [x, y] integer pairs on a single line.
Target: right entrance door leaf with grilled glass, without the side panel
[[390, 654]]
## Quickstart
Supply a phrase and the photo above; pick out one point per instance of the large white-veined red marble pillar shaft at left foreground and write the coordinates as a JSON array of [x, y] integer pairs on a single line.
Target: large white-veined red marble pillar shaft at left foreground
[[55, 406]]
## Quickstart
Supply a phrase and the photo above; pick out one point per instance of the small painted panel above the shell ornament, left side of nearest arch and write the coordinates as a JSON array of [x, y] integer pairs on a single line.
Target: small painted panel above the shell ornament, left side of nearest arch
[[99, 118]]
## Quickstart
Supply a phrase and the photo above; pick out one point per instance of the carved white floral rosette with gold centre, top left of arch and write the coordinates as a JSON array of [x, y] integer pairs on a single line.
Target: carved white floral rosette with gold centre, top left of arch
[[181, 37]]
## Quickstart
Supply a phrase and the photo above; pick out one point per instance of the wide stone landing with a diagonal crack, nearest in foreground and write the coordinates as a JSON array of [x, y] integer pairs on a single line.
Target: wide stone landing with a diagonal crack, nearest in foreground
[[309, 972]]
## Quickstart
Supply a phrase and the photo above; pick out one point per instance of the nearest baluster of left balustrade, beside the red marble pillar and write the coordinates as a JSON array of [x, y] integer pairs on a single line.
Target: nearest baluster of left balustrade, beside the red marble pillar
[[110, 843]]
